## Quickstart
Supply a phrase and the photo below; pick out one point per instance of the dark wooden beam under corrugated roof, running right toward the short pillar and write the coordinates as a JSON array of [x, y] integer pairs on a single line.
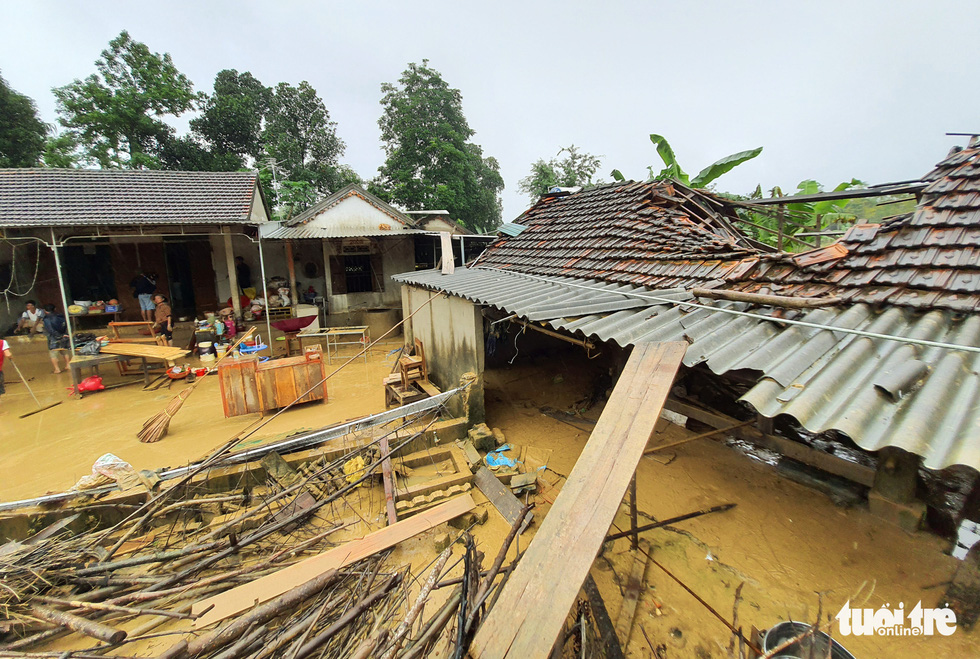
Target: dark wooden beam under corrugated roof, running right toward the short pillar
[[794, 450]]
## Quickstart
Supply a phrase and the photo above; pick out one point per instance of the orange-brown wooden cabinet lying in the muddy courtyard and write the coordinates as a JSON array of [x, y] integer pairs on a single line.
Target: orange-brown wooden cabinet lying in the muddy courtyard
[[248, 385]]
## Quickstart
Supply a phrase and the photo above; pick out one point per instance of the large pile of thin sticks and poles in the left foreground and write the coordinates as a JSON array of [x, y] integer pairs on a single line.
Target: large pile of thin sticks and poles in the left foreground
[[122, 584]]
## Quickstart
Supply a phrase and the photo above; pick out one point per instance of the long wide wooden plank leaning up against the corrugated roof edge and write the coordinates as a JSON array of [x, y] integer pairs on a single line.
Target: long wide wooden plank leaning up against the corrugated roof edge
[[533, 605]]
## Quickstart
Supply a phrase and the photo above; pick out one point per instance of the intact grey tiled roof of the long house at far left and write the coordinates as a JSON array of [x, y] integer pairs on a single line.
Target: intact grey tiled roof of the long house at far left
[[79, 197]]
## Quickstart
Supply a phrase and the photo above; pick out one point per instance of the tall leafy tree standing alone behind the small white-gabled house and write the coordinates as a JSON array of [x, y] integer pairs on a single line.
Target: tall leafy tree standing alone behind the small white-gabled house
[[430, 162]]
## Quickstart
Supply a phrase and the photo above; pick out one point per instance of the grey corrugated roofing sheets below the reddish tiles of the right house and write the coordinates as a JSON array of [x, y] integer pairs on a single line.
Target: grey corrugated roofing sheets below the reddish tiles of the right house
[[826, 380]]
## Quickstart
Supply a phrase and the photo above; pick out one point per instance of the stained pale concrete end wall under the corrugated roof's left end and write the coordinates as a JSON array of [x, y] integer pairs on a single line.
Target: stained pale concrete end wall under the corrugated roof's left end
[[451, 331]]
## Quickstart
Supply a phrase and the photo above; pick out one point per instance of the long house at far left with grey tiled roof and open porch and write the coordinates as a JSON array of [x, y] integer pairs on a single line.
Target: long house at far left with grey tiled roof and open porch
[[106, 226]]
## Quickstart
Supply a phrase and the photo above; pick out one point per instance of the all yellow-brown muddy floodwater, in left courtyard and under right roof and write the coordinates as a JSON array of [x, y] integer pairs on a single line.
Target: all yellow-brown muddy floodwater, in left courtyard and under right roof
[[793, 549]]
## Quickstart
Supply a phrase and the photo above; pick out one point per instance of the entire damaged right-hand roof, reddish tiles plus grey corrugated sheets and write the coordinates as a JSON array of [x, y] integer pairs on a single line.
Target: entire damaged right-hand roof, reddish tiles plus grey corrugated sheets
[[895, 365]]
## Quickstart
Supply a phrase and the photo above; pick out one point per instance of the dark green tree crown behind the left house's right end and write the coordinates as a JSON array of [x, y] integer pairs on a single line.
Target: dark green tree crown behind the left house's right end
[[231, 117]]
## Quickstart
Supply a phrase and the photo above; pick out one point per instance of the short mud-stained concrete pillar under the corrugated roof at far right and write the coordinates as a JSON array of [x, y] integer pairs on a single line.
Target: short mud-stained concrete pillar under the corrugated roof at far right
[[892, 497]]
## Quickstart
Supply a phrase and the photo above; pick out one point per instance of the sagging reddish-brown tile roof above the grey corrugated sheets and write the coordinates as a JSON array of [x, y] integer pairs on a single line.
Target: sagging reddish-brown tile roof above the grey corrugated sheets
[[662, 235]]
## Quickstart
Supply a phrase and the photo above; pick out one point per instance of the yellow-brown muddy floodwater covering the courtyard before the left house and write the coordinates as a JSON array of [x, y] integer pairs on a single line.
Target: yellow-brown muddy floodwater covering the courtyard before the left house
[[51, 450]]
